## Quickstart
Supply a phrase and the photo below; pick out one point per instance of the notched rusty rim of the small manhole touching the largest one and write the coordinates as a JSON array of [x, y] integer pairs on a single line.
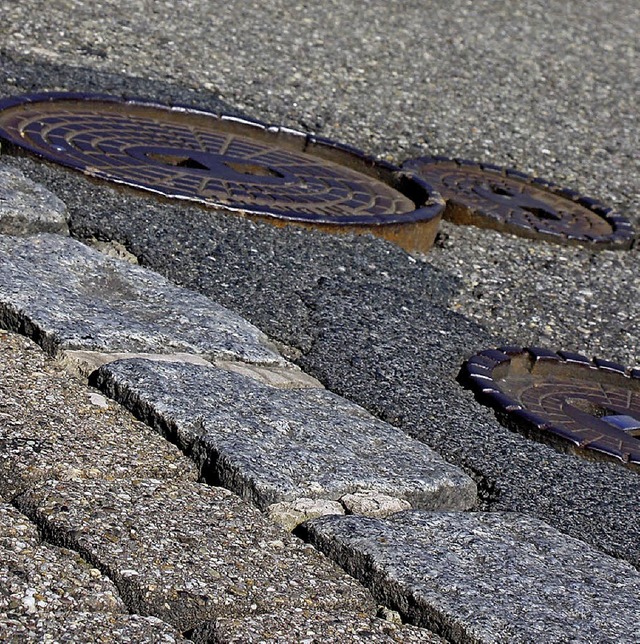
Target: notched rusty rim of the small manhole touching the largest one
[[621, 237]]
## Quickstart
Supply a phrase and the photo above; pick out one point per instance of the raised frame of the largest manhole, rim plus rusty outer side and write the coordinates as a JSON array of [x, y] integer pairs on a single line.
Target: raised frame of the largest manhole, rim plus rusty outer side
[[427, 203]]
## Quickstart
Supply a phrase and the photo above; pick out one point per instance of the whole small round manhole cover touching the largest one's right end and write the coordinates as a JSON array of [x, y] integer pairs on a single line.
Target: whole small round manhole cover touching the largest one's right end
[[489, 196]]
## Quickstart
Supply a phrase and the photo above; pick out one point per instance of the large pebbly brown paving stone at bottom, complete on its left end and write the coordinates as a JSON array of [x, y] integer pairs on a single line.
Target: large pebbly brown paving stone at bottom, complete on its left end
[[190, 553]]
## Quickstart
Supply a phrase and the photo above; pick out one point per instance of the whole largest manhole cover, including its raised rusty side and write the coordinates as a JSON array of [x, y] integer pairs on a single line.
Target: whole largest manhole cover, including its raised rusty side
[[225, 162]]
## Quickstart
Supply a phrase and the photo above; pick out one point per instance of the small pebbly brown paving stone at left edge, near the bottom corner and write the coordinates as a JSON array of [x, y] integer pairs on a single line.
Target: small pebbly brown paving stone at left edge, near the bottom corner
[[38, 579]]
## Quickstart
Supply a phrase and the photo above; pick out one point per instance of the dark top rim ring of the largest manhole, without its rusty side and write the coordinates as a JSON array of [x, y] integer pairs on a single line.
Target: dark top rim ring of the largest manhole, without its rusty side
[[428, 203]]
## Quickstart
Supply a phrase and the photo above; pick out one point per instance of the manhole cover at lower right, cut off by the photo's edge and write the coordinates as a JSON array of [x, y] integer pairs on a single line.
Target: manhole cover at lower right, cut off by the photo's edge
[[588, 407]]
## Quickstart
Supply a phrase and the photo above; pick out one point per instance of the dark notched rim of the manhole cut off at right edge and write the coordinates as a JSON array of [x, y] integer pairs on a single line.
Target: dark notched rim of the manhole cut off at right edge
[[479, 375]]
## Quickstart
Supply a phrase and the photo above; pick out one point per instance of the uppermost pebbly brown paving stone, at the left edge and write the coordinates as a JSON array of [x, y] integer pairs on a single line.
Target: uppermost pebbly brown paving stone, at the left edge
[[52, 426]]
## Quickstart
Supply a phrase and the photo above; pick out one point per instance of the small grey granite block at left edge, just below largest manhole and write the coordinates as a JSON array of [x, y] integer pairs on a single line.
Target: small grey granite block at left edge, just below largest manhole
[[27, 207]]
